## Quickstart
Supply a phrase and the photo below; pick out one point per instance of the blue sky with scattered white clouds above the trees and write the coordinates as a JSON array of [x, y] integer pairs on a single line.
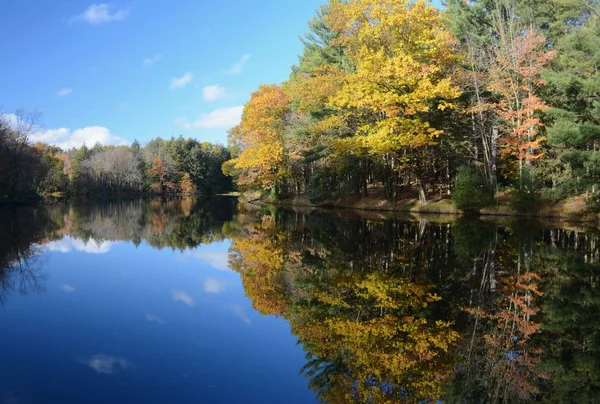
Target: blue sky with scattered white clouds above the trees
[[133, 69]]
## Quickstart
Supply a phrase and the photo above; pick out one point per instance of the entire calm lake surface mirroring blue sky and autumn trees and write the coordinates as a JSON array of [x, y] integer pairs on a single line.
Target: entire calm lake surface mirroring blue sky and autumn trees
[[188, 302]]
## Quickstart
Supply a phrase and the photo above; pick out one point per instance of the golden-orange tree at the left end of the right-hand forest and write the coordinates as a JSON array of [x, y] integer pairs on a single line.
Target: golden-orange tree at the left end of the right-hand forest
[[261, 160]]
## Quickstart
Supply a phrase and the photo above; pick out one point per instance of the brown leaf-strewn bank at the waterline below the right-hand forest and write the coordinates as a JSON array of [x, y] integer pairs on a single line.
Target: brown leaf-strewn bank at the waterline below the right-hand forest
[[572, 209]]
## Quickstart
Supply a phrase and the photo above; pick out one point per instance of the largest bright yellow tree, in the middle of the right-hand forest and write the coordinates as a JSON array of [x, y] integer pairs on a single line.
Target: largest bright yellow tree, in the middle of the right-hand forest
[[402, 55]]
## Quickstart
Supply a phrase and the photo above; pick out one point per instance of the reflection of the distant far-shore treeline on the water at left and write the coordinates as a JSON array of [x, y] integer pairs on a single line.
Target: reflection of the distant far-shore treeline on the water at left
[[175, 224]]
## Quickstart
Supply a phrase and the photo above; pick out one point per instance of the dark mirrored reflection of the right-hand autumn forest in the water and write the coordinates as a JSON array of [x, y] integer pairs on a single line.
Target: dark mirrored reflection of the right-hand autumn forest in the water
[[392, 311]]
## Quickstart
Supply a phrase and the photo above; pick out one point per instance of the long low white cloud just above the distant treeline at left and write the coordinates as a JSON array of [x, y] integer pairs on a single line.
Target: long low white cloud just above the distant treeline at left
[[66, 138]]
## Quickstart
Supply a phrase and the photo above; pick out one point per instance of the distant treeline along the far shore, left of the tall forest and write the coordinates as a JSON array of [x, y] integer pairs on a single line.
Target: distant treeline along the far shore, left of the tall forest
[[175, 166]]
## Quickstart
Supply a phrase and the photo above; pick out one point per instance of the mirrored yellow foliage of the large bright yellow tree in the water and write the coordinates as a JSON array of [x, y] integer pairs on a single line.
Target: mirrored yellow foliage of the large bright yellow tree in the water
[[389, 345]]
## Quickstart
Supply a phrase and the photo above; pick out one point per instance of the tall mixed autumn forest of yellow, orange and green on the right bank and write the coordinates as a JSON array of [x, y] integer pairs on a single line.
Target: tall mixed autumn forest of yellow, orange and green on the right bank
[[483, 101]]
